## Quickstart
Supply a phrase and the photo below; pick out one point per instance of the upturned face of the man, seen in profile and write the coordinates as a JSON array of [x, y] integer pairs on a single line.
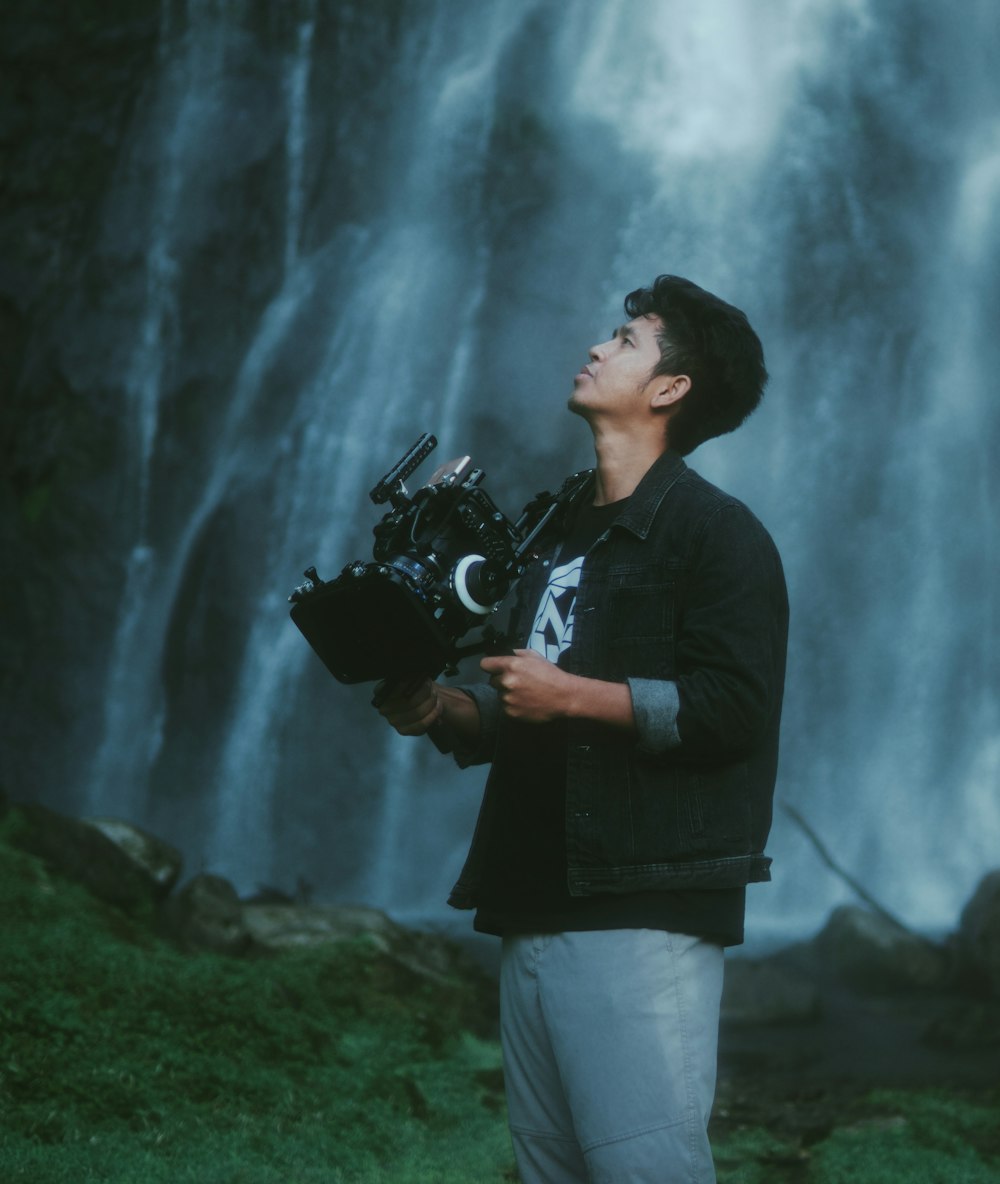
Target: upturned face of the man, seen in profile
[[617, 381]]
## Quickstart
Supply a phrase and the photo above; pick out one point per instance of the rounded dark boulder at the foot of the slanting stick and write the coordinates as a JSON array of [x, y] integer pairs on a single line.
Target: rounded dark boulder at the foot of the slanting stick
[[872, 954]]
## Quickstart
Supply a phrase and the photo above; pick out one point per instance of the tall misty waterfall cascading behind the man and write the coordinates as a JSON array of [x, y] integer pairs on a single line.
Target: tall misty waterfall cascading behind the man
[[344, 227]]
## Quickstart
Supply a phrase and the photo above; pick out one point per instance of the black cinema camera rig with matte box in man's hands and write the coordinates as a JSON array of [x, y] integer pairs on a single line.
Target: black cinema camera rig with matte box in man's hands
[[443, 562]]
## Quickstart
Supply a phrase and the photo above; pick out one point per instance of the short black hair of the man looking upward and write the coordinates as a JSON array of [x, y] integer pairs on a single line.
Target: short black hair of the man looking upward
[[714, 345]]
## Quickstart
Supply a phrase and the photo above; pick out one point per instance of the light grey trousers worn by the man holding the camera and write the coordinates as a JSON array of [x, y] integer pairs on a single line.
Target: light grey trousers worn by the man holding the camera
[[610, 1043]]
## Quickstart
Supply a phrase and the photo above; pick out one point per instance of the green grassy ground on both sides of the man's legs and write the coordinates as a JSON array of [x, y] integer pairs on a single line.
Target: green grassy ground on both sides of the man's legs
[[126, 1061]]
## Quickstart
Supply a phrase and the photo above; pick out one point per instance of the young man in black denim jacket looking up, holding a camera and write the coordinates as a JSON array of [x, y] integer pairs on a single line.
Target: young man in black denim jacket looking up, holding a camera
[[634, 739]]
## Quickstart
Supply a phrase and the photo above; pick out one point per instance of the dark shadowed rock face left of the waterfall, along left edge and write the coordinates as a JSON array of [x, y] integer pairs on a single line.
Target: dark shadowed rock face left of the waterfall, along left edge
[[70, 83]]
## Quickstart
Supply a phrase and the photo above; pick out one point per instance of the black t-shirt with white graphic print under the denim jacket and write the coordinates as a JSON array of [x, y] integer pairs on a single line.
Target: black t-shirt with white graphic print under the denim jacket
[[525, 874]]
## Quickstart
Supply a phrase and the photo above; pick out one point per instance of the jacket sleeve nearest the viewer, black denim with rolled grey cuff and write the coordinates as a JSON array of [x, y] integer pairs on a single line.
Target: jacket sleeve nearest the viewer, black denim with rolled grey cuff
[[732, 634]]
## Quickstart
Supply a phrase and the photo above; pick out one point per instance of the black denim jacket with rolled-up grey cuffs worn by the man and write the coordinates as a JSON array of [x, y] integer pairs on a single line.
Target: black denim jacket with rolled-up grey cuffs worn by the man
[[685, 600]]
